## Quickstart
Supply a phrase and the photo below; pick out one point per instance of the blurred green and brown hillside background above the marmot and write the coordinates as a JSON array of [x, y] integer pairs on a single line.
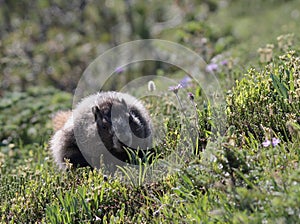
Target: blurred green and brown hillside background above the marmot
[[51, 42]]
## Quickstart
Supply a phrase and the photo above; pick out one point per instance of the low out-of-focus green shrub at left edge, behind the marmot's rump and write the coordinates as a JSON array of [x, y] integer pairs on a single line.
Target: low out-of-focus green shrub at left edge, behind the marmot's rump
[[25, 115]]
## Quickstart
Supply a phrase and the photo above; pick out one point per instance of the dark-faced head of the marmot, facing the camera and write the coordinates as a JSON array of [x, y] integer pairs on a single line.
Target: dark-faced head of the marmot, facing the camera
[[120, 125]]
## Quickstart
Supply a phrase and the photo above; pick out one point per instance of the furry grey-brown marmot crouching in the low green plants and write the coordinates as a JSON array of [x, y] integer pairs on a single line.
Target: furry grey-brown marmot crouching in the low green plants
[[100, 123]]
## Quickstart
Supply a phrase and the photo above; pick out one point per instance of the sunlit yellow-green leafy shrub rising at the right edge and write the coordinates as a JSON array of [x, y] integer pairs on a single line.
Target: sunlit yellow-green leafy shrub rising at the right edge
[[264, 102]]
